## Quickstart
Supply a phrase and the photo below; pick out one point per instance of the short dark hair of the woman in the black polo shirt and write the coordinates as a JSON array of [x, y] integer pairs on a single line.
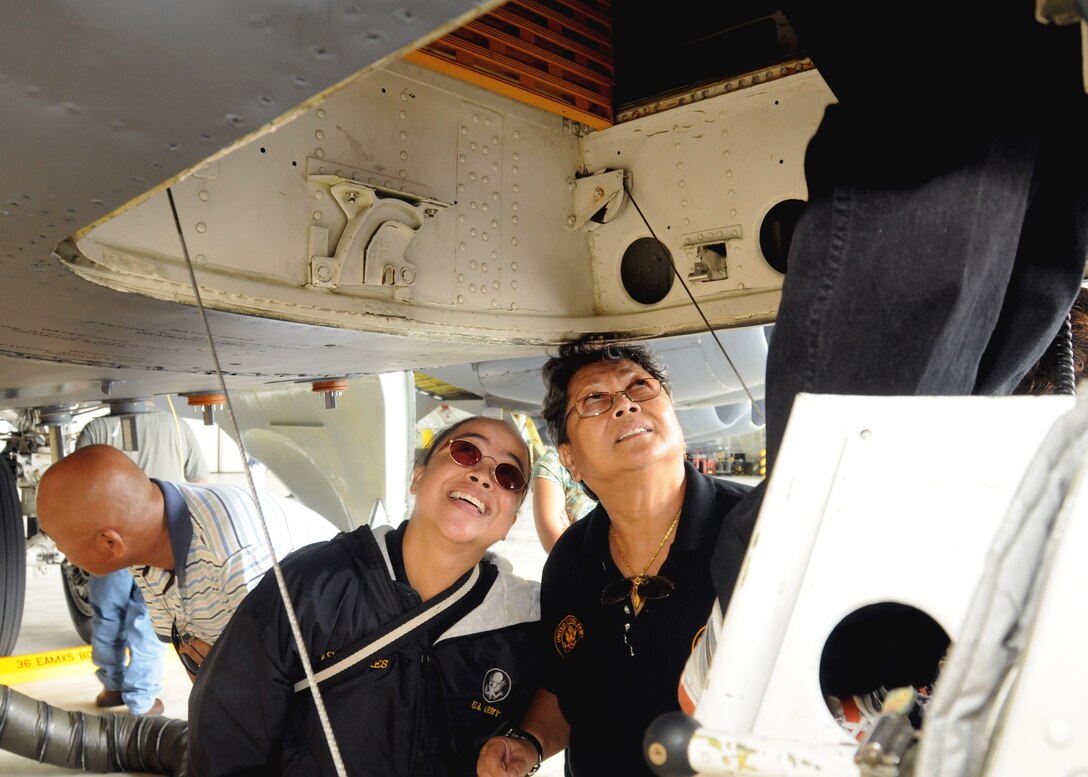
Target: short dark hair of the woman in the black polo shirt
[[591, 350]]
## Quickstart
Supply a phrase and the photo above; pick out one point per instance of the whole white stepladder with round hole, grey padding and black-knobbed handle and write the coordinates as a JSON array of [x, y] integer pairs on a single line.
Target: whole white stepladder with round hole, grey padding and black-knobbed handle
[[969, 513]]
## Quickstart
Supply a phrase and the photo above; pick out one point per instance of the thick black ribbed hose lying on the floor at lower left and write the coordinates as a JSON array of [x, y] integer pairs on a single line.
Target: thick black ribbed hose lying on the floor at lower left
[[107, 743]]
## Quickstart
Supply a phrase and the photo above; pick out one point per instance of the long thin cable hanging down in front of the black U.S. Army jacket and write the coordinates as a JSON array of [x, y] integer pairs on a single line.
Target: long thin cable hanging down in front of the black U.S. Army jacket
[[303, 655]]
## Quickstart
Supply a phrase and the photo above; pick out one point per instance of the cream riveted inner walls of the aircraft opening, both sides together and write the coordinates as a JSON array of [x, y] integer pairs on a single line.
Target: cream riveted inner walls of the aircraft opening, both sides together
[[407, 203]]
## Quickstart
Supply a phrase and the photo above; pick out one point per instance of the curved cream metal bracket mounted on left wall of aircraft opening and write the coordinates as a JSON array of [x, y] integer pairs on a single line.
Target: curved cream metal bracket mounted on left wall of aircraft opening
[[381, 225]]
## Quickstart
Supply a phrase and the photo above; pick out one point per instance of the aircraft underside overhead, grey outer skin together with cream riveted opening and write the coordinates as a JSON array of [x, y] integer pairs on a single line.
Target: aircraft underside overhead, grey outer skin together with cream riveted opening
[[347, 213]]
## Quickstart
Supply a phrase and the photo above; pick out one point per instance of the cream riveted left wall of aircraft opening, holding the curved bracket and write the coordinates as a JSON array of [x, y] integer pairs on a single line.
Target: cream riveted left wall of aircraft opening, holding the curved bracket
[[460, 194]]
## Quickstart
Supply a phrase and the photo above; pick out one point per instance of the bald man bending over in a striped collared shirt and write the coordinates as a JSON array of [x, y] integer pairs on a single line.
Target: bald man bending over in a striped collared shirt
[[194, 550]]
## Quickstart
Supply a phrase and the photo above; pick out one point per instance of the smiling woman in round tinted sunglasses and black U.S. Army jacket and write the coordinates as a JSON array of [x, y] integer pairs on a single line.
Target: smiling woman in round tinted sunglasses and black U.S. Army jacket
[[419, 640]]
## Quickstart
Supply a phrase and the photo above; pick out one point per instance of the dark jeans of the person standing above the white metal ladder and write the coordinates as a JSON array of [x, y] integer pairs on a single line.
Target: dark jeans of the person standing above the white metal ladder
[[921, 268]]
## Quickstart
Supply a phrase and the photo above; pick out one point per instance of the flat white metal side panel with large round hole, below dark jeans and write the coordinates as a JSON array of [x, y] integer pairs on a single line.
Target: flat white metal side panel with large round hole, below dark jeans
[[873, 500]]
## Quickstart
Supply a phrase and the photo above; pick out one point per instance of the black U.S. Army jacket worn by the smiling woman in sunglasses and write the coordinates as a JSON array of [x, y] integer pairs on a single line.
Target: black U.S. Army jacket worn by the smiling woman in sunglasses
[[424, 708]]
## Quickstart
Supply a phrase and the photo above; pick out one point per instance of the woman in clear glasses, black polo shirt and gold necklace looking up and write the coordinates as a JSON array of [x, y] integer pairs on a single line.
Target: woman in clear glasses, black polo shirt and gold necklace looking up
[[627, 590]]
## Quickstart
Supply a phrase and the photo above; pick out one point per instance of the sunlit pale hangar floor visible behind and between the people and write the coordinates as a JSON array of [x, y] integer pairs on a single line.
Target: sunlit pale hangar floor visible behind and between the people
[[47, 628]]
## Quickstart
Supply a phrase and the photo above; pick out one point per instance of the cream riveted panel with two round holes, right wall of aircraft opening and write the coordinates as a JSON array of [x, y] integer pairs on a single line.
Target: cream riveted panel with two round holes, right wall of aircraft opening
[[704, 178]]
